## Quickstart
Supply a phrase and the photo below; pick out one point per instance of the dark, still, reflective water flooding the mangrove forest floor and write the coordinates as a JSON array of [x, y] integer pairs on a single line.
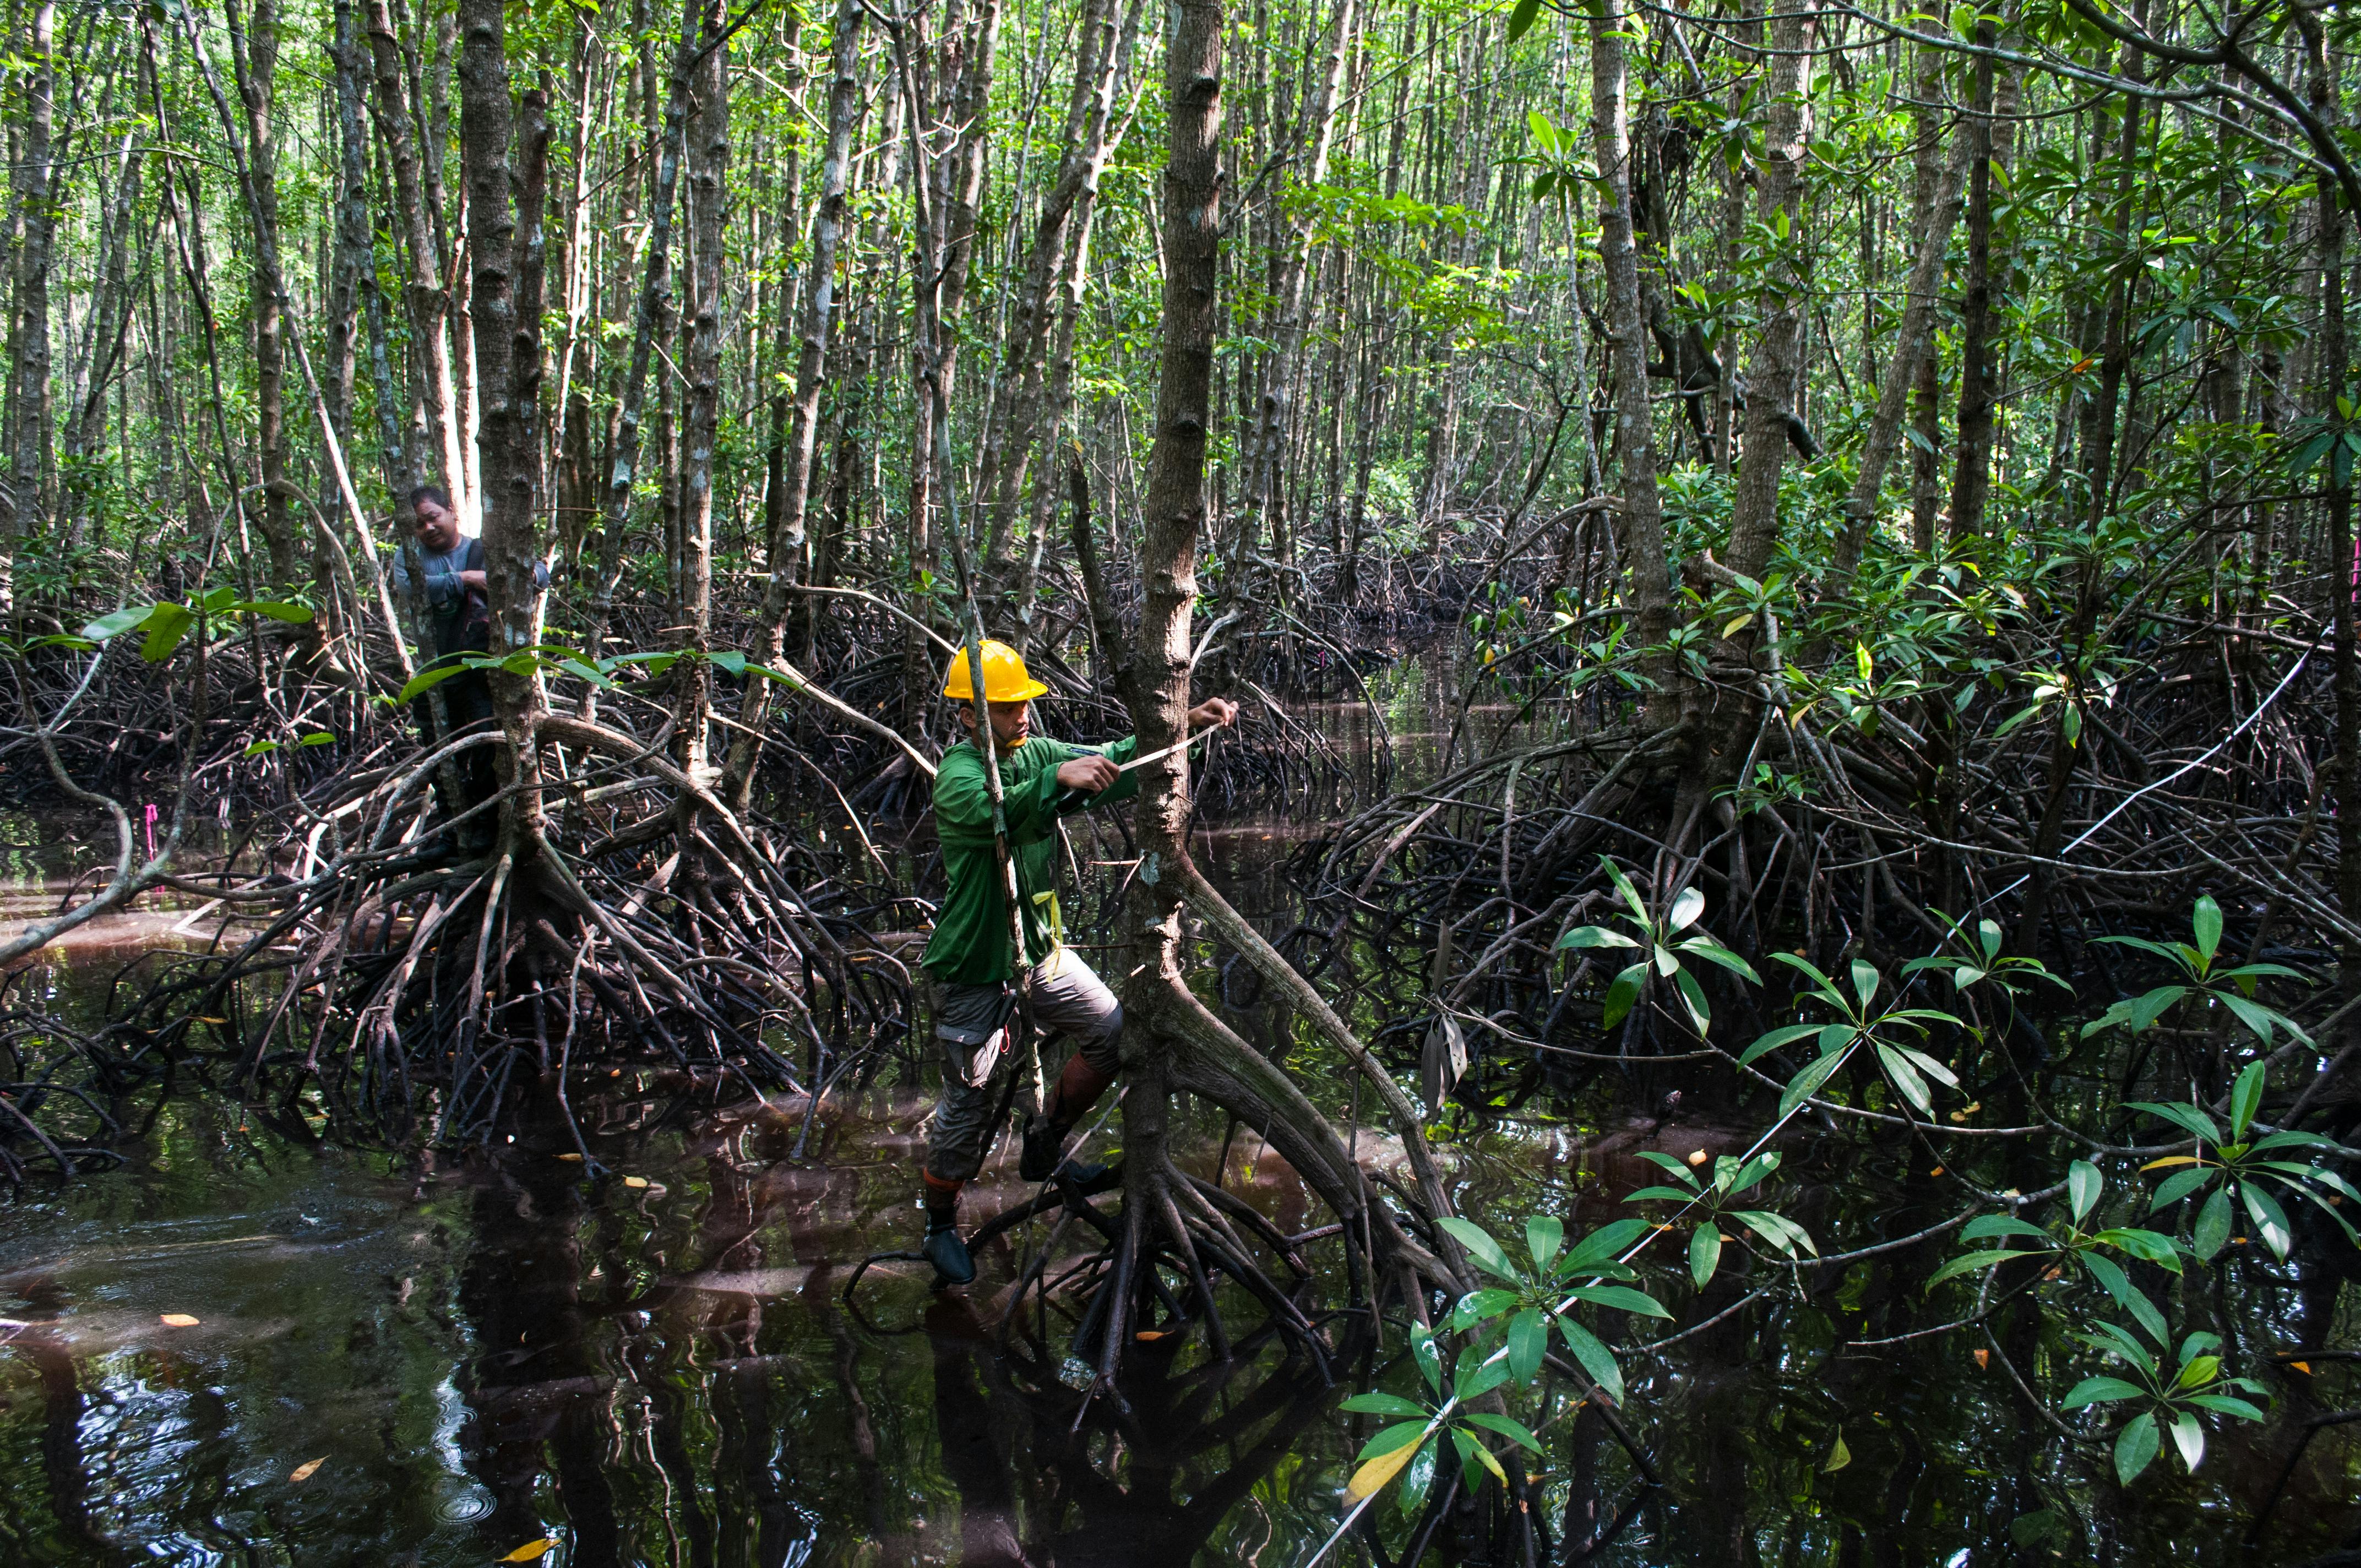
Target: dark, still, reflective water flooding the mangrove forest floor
[[244, 1347]]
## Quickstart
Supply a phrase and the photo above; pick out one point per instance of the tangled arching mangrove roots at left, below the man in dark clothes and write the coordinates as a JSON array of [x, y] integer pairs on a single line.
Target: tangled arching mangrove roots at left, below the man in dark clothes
[[641, 927]]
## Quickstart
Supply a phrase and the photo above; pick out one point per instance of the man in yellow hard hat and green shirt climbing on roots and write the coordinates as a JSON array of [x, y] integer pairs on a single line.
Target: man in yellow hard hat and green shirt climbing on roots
[[969, 953]]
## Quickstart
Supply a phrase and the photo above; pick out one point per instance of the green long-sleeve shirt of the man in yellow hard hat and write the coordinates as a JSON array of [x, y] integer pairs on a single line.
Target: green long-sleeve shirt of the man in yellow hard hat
[[972, 934]]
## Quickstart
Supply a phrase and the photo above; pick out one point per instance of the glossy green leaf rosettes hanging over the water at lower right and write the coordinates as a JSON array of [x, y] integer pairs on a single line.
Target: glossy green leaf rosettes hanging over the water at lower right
[[2079, 1243]]
